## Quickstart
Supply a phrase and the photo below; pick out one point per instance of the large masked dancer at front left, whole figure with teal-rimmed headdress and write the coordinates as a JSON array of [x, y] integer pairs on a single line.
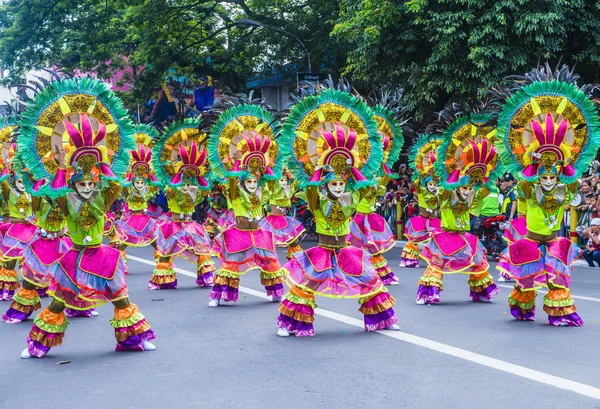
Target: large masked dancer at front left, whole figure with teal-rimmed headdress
[[66, 134]]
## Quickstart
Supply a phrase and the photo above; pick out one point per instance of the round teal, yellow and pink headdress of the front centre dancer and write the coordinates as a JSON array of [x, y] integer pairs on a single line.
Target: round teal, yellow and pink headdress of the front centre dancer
[[332, 135]]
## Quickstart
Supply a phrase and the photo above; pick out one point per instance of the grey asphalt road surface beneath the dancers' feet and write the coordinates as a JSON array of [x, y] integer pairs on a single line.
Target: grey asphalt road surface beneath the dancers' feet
[[458, 354]]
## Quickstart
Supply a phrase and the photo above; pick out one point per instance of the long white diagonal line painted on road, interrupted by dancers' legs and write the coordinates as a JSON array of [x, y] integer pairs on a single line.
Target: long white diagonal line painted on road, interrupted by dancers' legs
[[523, 372]]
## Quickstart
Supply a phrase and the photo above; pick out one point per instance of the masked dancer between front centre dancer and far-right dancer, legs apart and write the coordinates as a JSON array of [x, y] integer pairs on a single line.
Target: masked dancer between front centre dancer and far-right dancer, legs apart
[[466, 161]]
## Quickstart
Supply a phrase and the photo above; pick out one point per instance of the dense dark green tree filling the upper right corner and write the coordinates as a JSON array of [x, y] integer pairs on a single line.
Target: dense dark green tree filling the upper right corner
[[445, 50]]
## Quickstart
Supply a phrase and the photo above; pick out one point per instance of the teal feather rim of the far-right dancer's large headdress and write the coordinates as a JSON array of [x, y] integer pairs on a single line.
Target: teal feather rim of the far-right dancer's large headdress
[[553, 88]]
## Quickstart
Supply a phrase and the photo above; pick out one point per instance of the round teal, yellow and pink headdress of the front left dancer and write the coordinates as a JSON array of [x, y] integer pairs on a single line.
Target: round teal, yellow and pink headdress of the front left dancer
[[83, 117]]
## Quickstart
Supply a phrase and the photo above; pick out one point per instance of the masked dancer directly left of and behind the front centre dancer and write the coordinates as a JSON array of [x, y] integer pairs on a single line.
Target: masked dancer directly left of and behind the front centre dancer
[[243, 150]]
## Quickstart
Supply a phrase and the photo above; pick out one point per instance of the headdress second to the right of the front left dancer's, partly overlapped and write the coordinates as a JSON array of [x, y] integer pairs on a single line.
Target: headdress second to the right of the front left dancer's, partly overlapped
[[180, 156]]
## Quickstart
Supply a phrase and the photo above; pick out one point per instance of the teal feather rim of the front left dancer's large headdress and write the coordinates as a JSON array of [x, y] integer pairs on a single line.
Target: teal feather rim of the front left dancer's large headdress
[[49, 95]]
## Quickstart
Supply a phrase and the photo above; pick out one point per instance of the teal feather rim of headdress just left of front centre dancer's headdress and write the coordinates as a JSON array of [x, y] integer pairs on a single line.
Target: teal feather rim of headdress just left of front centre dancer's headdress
[[264, 116]]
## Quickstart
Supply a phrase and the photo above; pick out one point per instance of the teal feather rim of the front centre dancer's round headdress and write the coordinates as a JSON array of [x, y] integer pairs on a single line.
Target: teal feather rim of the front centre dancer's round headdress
[[308, 104]]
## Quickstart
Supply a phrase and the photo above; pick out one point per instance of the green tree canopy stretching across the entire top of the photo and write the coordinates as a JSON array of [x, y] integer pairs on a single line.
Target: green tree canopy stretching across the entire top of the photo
[[435, 51]]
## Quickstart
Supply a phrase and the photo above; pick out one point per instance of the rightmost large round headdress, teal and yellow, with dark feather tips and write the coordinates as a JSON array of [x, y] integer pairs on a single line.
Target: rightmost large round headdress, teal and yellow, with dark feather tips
[[547, 126]]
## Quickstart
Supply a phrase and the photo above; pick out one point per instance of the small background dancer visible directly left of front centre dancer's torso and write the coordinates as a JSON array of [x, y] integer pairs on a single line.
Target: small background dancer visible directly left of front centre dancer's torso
[[286, 229]]
